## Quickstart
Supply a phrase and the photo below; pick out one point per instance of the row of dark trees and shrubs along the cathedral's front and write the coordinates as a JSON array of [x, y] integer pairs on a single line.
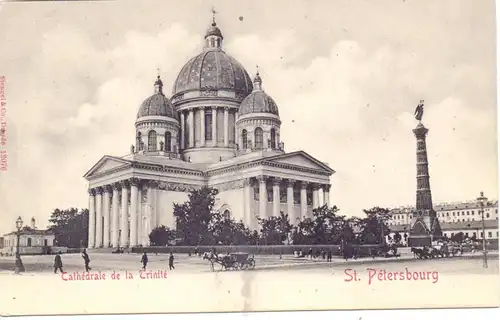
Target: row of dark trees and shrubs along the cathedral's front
[[198, 223]]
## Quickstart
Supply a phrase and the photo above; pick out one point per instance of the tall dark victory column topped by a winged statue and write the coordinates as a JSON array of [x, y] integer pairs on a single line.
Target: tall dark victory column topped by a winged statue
[[425, 226]]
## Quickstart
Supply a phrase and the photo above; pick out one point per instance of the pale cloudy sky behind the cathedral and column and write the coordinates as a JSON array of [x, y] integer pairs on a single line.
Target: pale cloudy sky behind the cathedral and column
[[345, 74]]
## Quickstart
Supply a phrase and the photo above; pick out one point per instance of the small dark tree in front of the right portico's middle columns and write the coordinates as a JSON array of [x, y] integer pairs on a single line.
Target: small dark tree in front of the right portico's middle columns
[[275, 230]]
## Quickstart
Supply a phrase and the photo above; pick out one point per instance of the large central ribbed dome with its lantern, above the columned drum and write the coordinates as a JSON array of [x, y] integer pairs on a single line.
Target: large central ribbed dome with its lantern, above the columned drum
[[213, 69]]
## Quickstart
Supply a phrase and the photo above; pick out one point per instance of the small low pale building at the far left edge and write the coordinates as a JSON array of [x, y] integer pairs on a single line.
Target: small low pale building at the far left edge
[[31, 240]]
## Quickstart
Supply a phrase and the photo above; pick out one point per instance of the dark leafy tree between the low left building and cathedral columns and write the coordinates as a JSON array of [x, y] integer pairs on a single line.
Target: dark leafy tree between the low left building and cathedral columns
[[70, 227]]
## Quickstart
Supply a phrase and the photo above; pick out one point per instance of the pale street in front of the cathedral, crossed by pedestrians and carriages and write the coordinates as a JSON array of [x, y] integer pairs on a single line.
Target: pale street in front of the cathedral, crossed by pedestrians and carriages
[[185, 264]]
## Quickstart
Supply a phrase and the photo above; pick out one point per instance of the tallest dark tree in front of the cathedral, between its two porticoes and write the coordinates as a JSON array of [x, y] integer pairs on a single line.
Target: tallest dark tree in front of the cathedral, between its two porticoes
[[194, 216]]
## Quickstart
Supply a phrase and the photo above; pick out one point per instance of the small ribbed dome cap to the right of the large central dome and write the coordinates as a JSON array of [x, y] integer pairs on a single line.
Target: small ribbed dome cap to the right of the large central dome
[[258, 101]]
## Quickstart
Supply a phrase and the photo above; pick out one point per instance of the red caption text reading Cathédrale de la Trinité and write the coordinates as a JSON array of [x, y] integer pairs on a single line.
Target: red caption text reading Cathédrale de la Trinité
[[114, 275]]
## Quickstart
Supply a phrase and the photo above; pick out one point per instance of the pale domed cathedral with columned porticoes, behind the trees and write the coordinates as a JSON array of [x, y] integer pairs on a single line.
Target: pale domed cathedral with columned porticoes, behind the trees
[[218, 129]]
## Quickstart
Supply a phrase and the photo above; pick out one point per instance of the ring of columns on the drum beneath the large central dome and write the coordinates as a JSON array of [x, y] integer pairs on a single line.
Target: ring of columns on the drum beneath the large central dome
[[189, 135]]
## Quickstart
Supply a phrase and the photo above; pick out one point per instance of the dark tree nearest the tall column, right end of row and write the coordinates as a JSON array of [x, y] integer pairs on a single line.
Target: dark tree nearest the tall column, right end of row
[[374, 227]]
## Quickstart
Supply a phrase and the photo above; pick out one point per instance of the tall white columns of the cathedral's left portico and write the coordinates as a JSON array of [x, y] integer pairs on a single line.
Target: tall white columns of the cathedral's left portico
[[116, 218]]
